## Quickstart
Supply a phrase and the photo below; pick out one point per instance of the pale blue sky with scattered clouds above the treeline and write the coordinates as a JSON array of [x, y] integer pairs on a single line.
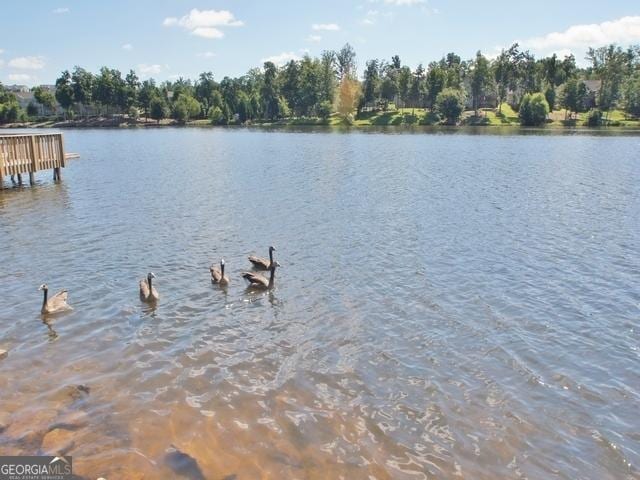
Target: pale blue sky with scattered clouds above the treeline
[[167, 39]]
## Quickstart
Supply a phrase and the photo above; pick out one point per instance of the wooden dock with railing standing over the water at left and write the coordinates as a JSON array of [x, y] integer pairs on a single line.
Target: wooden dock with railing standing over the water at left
[[31, 152]]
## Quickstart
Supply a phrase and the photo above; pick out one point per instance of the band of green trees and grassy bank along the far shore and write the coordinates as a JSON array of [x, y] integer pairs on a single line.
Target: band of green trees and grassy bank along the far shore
[[512, 89]]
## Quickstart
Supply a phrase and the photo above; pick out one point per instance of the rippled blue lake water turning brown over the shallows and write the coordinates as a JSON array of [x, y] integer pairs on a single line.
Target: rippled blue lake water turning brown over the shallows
[[449, 306]]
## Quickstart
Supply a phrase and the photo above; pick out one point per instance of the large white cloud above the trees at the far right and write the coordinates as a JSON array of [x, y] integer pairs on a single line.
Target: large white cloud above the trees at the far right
[[623, 30]]
